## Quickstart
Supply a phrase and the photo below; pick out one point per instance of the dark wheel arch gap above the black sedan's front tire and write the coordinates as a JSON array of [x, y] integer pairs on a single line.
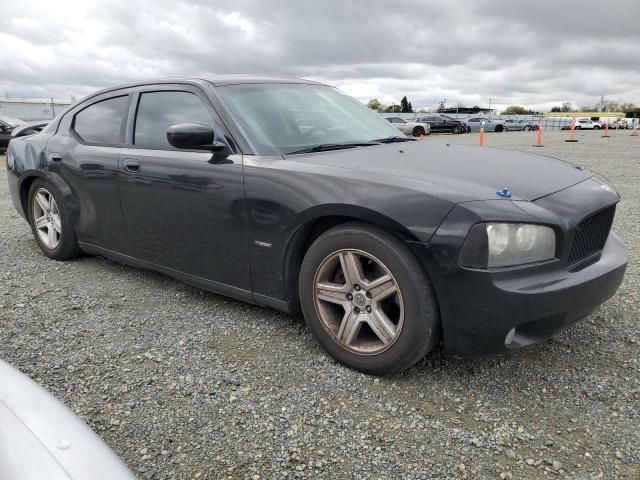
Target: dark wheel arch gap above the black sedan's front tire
[[317, 222]]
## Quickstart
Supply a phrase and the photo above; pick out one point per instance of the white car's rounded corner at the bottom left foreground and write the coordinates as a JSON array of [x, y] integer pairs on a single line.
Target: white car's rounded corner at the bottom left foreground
[[43, 439]]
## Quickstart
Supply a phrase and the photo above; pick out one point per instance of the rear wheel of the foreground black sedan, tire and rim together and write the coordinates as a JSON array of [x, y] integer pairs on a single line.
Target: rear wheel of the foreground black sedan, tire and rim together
[[62, 243]]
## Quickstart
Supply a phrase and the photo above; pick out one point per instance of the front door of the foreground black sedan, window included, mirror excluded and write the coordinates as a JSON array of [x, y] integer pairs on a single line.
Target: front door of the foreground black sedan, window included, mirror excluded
[[185, 209]]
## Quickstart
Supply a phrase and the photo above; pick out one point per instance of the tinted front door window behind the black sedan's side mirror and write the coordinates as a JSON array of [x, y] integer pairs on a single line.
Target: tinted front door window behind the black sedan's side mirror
[[157, 111]]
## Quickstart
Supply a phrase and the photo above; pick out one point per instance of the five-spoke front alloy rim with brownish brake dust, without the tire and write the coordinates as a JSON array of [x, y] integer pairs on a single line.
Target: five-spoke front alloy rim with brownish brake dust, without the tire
[[358, 301]]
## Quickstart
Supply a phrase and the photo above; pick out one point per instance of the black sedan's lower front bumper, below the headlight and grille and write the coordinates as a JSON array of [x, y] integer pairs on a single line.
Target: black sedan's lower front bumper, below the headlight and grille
[[537, 306]]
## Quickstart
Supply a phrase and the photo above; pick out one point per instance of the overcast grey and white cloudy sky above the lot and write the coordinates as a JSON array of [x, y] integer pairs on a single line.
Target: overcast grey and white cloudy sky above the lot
[[533, 53]]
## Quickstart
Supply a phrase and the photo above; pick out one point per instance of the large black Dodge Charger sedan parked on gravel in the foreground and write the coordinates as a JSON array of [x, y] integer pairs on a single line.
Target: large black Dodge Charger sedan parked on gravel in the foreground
[[290, 194]]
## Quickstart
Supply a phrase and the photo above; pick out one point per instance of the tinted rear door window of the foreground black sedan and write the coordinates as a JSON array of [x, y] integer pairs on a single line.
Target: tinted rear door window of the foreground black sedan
[[102, 121]]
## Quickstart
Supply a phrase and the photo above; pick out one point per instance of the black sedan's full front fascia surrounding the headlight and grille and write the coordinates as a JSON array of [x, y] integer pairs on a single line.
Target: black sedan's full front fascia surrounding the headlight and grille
[[479, 308]]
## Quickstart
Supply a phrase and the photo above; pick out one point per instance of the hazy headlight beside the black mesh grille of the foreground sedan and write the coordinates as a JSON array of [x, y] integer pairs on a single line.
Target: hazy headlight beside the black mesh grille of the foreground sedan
[[491, 245]]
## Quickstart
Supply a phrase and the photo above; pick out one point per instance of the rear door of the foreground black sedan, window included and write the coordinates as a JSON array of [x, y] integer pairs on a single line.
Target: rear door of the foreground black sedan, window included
[[84, 152]]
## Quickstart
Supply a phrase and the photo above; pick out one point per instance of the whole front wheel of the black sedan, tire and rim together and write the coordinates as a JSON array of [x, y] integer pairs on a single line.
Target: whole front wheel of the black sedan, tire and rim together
[[412, 307]]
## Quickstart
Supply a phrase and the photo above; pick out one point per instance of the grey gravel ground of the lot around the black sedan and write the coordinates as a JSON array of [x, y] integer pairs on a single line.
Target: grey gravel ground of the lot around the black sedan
[[184, 384]]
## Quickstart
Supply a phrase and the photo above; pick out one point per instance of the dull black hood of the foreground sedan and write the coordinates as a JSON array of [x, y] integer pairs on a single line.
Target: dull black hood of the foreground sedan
[[468, 173]]
